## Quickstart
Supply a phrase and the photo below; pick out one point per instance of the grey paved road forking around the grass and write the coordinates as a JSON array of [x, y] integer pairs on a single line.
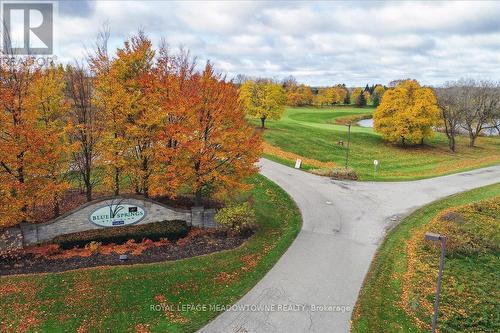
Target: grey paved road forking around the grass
[[343, 224]]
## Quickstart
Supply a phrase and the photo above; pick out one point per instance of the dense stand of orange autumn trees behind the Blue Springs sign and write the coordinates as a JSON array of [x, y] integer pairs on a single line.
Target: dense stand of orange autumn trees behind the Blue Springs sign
[[149, 120]]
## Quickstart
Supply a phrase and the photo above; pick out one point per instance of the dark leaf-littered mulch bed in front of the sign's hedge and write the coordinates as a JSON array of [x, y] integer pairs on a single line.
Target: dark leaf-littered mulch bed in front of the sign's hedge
[[48, 259]]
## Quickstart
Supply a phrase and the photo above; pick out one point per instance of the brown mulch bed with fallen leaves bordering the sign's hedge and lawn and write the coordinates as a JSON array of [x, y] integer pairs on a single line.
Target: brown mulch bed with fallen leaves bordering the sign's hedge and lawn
[[204, 243]]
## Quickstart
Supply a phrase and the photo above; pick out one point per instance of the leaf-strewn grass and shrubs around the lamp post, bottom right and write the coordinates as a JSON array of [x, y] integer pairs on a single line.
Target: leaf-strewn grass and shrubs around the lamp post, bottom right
[[470, 292]]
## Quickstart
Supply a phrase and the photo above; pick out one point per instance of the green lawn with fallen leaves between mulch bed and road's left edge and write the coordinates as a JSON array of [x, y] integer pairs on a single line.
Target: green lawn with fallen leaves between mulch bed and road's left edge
[[119, 299]]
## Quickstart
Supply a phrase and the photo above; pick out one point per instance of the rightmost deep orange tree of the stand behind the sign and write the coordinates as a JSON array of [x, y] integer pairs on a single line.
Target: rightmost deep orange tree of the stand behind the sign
[[222, 148]]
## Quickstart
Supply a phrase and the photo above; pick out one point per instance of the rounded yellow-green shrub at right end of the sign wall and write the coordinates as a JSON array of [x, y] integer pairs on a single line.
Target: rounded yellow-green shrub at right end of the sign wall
[[239, 218]]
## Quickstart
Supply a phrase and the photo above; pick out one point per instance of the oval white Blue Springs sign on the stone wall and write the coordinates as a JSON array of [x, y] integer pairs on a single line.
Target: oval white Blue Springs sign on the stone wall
[[117, 214]]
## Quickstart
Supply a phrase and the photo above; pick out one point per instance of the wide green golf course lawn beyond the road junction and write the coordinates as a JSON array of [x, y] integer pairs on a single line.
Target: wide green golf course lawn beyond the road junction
[[313, 133]]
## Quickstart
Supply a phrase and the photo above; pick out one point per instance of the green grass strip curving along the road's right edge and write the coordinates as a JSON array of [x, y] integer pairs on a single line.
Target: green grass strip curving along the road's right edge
[[376, 309]]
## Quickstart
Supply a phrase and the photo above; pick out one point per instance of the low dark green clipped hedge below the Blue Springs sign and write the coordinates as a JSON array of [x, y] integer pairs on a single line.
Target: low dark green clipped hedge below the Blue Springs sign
[[171, 230]]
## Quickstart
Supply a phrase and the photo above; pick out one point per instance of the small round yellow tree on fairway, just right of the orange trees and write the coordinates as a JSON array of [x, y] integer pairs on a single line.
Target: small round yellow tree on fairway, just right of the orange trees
[[263, 99]]
